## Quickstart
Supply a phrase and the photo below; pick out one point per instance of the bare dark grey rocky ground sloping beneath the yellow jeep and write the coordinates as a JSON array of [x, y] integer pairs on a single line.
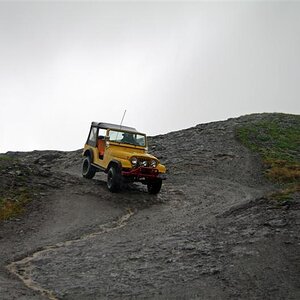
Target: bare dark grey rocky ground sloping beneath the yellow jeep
[[210, 234]]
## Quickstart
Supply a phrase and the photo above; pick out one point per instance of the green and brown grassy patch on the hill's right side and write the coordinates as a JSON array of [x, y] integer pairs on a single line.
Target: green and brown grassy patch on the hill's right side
[[277, 139]]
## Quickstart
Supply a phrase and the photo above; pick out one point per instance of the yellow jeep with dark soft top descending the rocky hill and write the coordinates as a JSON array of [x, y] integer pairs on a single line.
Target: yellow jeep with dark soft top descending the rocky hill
[[121, 152]]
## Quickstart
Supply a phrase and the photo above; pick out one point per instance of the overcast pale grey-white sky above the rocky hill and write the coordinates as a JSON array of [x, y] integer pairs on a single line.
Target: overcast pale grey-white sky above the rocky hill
[[171, 65]]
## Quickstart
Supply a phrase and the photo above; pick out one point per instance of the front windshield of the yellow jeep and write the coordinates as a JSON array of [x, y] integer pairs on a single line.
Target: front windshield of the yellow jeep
[[130, 138]]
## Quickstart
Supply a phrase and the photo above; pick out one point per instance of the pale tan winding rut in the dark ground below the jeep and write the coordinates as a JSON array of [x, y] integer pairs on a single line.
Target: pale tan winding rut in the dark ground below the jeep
[[22, 268]]
